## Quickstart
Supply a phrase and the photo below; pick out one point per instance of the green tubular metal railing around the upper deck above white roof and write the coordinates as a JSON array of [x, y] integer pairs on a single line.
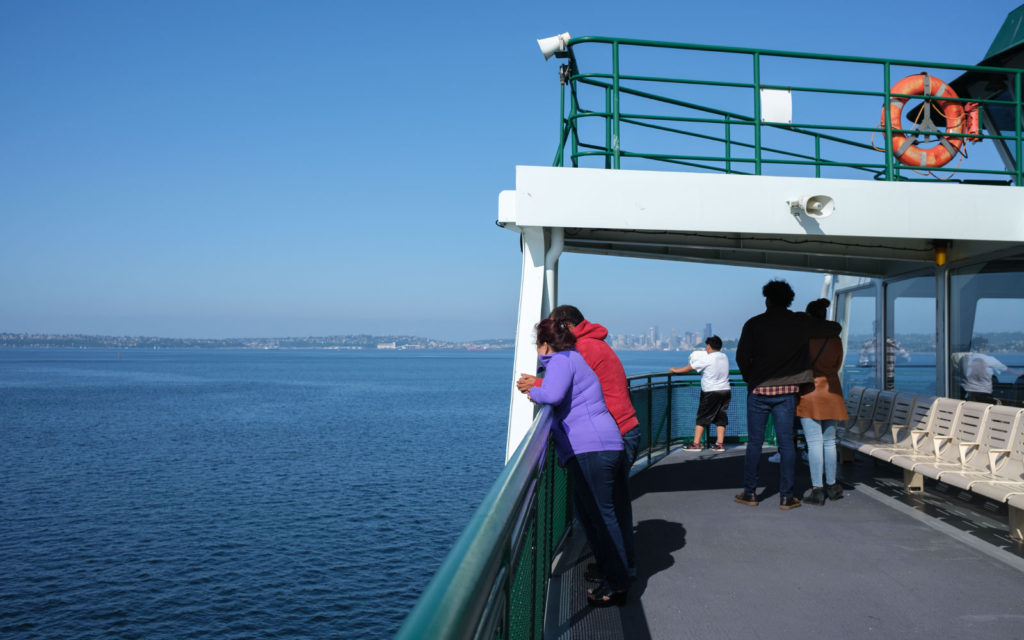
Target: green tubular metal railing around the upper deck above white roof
[[614, 87]]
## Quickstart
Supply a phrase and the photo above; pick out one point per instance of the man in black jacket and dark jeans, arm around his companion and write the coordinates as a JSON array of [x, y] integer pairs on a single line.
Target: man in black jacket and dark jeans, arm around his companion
[[774, 358]]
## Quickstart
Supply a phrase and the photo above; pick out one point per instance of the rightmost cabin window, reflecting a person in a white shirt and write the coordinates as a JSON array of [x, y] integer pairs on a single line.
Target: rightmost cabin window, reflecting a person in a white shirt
[[987, 324]]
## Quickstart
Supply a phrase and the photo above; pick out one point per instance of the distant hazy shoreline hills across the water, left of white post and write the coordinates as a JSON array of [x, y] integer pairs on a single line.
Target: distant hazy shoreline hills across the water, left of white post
[[364, 342]]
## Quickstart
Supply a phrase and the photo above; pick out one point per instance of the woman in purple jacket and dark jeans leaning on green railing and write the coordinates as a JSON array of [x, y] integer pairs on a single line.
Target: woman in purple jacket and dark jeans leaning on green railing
[[588, 442]]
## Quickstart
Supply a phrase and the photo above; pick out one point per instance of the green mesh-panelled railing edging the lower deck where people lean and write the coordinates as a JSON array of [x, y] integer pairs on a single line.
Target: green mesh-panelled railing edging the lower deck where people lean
[[494, 582]]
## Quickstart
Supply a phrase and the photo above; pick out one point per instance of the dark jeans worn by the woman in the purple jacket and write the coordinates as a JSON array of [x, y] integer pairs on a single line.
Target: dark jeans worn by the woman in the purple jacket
[[602, 497]]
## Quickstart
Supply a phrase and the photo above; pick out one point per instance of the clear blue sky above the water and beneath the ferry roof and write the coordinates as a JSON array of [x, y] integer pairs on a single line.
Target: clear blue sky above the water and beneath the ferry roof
[[252, 168]]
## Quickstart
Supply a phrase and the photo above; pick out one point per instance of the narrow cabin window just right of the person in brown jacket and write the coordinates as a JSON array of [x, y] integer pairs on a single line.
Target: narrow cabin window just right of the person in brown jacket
[[857, 312]]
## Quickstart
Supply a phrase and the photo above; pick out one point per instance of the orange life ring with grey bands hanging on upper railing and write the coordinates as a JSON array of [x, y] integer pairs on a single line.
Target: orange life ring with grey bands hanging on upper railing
[[928, 88]]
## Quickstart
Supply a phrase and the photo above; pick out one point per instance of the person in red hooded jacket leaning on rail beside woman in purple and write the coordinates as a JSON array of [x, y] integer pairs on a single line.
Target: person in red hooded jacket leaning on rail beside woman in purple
[[602, 358]]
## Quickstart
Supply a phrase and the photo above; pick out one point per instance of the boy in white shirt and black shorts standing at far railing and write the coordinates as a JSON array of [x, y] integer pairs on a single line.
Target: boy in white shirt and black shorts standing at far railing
[[715, 392]]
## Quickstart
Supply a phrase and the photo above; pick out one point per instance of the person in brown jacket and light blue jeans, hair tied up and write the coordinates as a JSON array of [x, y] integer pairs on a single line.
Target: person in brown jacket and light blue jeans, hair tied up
[[822, 408]]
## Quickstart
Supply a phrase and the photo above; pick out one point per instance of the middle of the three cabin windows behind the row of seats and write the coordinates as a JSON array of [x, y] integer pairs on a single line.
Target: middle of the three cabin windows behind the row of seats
[[911, 335]]
